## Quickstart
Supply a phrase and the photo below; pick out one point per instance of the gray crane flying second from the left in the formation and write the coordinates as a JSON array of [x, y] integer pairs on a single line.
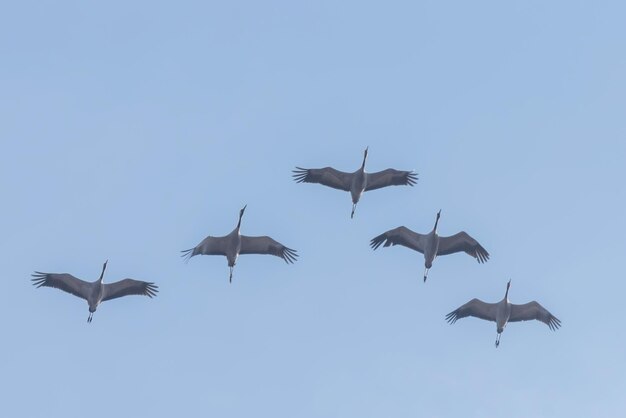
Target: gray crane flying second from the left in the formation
[[235, 244]]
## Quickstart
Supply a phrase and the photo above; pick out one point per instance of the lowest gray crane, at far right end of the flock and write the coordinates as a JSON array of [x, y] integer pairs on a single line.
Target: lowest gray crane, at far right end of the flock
[[504, 312]]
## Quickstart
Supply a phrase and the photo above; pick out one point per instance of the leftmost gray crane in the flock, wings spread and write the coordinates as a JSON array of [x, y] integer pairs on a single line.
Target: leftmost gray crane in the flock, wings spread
[[94, 292]]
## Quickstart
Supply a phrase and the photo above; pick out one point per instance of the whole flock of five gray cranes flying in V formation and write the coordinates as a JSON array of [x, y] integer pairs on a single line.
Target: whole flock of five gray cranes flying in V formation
[[234, 244]]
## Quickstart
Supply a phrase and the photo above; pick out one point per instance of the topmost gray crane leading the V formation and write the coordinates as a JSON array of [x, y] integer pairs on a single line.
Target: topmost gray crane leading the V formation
[[357, 182]]
